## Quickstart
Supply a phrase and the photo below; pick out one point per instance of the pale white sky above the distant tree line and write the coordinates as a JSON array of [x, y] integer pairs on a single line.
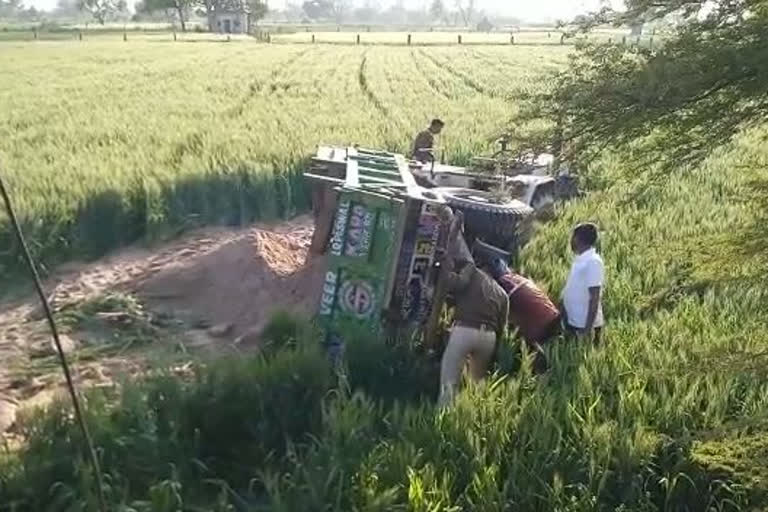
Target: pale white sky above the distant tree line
[[527, 10]]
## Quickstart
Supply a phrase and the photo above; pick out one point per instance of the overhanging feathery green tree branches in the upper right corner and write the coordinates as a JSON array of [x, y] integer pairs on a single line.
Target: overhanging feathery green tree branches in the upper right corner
[[686, 97]]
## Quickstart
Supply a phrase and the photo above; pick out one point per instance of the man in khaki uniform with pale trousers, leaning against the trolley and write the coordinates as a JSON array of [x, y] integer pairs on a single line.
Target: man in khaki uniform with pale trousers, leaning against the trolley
[[480, 318]]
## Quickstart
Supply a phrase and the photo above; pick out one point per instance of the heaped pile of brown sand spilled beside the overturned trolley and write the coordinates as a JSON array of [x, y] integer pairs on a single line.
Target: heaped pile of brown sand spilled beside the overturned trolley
[[240, 281]]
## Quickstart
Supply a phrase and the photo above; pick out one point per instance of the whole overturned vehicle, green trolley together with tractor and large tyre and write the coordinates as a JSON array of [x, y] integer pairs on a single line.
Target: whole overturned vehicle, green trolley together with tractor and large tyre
[[383, 222]]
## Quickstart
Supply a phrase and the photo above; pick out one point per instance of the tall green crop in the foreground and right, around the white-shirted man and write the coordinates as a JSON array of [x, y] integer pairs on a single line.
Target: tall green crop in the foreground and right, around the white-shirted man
[[669, 414]]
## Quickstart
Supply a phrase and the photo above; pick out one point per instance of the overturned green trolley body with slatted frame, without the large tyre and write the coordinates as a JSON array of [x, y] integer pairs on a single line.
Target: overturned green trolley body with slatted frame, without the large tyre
[[383, 235]]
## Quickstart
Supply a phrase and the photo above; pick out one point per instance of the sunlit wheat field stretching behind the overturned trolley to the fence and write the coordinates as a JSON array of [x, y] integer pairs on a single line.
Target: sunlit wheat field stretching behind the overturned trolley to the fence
[[105, 143]]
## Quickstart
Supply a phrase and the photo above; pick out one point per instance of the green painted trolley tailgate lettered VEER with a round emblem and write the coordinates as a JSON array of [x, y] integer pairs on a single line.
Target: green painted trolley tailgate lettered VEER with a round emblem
[[364, 242]]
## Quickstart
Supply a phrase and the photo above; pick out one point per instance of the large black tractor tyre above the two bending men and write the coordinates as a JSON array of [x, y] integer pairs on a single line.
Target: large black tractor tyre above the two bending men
[[489, 219]]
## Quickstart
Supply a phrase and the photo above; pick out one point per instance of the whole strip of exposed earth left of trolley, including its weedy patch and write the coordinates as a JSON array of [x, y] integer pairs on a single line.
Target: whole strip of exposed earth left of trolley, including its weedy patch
[[210, 292]]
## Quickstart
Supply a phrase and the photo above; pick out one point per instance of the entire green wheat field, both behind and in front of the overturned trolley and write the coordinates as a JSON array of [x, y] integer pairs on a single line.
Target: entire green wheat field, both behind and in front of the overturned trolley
[[106, 143]]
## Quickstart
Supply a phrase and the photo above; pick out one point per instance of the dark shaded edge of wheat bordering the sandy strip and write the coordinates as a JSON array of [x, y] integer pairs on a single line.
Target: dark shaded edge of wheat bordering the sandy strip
[[153, 210]]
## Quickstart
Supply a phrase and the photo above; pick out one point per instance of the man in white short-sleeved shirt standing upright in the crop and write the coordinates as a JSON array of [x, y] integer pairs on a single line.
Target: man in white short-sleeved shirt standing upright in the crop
[[582, 296]]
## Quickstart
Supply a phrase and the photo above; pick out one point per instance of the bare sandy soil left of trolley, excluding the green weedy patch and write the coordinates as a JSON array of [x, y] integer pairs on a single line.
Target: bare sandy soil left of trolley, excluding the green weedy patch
[[231, 280]]
